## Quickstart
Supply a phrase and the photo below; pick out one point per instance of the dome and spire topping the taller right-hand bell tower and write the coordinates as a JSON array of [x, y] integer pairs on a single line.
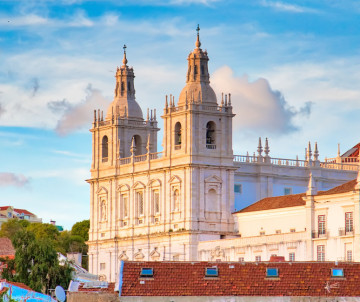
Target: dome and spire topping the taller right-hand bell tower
[[197, 88]]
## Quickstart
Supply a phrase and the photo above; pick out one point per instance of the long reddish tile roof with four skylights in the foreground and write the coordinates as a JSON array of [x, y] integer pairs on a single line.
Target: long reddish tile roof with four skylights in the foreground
[[240, 279]]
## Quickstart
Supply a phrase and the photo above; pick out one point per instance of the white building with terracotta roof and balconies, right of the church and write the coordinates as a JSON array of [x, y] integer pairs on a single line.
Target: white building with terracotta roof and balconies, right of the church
[[313, 226]]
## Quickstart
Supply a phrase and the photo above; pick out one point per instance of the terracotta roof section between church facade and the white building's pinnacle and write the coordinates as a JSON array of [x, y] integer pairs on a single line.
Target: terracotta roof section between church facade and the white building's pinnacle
[[276, 202]]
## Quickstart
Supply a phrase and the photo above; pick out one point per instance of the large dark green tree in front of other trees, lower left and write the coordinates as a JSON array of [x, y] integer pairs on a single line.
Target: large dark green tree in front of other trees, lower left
[[37, 264]]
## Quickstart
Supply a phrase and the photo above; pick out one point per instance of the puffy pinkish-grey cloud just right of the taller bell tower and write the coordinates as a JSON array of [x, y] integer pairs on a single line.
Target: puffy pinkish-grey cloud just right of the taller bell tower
[[256, 104]]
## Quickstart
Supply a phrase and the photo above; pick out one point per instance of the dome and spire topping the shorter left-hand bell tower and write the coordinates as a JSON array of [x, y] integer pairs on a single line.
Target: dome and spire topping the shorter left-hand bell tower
[[124, 103]]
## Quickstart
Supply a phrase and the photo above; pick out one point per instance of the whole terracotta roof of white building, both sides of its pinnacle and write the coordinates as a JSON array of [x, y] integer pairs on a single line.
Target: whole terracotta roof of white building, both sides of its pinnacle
[[294, 200]]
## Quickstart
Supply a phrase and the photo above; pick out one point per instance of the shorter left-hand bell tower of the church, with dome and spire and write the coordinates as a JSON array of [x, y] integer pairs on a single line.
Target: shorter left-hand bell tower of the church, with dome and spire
[[124, 131]]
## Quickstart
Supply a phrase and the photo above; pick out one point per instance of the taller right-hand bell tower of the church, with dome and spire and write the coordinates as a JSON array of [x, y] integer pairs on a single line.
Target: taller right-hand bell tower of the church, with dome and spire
[[198, 126]]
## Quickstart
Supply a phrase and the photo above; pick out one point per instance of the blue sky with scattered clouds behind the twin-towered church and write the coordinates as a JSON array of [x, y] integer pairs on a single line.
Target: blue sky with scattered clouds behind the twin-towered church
[[293, 68]]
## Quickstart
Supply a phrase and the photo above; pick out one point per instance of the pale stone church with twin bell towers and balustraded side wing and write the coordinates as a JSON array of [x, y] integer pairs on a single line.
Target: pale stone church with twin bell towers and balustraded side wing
[[148, 205]]
